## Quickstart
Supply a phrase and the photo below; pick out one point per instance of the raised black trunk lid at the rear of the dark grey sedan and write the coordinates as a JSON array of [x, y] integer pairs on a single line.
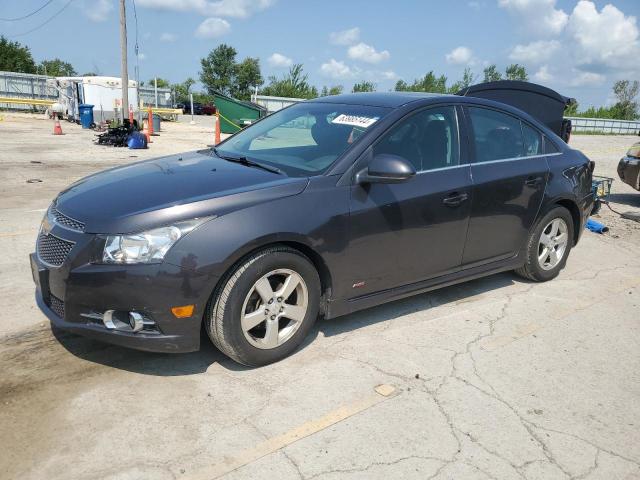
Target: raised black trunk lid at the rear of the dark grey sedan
[[540, 102]]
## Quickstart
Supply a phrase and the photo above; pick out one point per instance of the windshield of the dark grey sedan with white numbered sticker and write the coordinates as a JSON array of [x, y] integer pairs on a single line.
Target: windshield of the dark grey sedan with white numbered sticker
[[305, 139]]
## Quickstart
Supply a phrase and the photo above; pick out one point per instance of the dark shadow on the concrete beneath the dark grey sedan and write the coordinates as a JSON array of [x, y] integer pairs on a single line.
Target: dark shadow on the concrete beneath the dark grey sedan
[[167, 364]]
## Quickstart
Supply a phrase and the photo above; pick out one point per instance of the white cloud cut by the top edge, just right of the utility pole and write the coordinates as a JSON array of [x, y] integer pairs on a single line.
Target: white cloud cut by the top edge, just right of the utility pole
[[219, 8]]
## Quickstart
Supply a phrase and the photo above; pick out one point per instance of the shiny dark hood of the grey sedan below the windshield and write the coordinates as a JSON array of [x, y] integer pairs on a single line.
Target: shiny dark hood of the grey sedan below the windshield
[[178, 187]]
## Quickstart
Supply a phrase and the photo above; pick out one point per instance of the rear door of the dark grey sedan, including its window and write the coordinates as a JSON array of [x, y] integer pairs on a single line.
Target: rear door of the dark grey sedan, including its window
[[509, 172]]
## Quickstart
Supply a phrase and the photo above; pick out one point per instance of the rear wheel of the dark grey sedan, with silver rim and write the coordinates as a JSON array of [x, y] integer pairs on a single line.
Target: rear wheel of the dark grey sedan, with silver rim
[[546, 269]]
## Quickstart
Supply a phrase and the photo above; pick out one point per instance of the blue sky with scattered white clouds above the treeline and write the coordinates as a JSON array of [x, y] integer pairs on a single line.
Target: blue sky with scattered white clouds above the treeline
[[577, 47]]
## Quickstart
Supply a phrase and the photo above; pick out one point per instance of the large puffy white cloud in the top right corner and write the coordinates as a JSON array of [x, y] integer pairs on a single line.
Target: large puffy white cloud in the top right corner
[[605, 39]]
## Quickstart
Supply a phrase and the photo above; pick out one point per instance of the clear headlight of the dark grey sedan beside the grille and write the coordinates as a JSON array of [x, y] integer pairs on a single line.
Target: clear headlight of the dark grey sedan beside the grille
[[146, 247]]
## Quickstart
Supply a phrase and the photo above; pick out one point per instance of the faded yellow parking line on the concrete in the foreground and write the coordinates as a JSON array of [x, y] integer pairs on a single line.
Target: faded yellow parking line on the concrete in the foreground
[[271, 445]]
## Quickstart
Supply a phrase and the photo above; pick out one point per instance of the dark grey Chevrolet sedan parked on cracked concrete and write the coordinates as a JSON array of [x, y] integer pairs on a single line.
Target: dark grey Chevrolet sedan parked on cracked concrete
[[321, 209]]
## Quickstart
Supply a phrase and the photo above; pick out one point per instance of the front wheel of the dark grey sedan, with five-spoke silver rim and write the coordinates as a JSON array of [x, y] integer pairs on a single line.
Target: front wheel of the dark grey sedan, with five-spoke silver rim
[[241, 300]]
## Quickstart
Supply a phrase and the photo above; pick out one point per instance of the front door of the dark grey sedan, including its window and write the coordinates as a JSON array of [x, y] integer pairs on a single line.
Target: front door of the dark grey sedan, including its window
[[407, 232]]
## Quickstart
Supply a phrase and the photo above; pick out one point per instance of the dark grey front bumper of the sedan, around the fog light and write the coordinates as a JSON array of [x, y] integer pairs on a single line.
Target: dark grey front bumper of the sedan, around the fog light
[[70, 294]]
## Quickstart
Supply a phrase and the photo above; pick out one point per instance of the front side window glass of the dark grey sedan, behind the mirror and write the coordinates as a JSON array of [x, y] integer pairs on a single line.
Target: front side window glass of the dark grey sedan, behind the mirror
[[428, 139]]
